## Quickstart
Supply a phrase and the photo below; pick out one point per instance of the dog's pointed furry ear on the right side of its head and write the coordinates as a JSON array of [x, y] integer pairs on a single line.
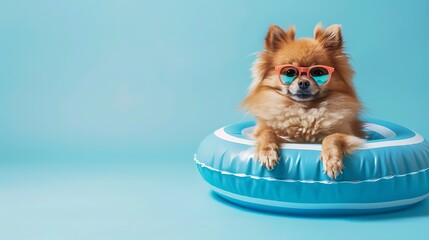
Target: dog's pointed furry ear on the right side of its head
[[330, 38]]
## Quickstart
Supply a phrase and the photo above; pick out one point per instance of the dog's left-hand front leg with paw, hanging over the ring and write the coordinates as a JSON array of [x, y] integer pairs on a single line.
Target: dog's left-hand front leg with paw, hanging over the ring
[[267, 146]]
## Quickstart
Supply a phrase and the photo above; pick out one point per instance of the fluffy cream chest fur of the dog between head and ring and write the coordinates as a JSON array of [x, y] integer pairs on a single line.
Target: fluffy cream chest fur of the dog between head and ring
[[297, 124]]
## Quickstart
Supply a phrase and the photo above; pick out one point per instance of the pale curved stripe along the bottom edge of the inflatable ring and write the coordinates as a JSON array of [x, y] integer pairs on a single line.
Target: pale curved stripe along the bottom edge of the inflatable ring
[[343, 206]]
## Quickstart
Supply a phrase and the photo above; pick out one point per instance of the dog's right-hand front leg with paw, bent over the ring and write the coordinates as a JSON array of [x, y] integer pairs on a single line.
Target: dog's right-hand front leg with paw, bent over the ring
[[334, 147]]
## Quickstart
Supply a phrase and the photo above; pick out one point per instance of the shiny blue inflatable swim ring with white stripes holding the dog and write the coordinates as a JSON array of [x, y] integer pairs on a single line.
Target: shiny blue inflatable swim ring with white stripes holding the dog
[[390, 171]]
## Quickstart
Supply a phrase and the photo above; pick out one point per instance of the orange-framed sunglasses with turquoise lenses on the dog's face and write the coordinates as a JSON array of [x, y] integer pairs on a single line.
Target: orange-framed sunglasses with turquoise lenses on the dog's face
[[321, 74]]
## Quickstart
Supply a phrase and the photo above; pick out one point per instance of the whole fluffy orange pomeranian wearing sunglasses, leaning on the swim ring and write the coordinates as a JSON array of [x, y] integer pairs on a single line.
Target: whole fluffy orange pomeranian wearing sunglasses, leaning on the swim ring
[[302, 91]]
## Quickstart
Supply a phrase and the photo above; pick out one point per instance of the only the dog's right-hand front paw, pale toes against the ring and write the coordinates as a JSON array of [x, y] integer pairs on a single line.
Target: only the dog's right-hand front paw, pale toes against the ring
[[332, 162]]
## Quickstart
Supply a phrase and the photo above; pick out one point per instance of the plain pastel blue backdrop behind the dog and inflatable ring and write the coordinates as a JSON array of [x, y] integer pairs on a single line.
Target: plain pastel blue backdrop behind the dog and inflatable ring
[[103, 103]]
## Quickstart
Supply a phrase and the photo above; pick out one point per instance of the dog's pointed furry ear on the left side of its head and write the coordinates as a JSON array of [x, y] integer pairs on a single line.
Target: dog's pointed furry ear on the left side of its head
[[277, 36]]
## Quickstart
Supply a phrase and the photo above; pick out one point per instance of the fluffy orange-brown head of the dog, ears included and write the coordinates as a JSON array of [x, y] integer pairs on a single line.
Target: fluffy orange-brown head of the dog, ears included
[[282, 49]]
